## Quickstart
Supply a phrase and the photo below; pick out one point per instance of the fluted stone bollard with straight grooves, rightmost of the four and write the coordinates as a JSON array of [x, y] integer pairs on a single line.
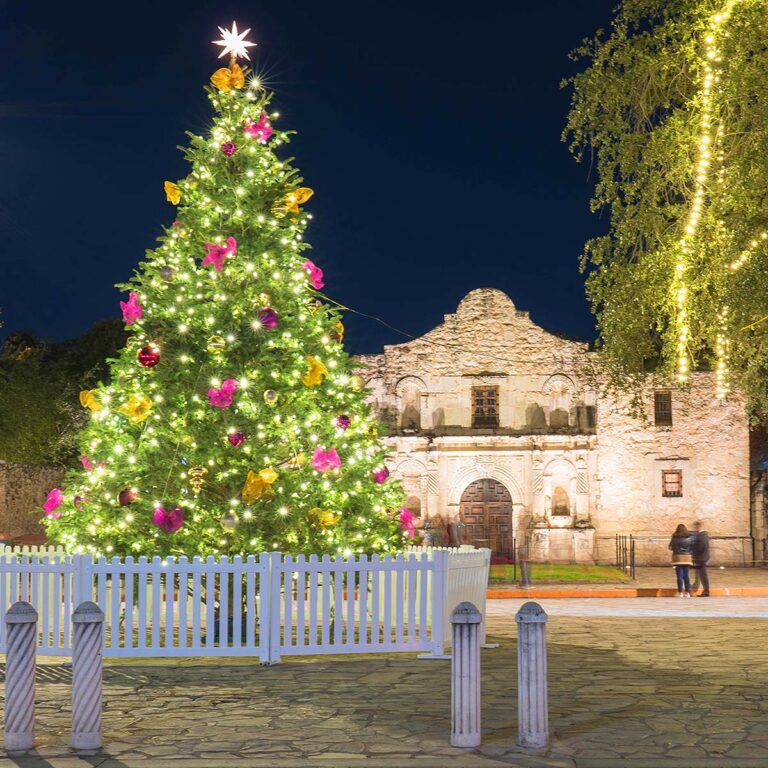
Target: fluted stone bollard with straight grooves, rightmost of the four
[[532, 707]]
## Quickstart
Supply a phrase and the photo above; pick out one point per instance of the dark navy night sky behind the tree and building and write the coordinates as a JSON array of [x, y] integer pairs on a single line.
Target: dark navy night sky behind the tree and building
[[429, 131]]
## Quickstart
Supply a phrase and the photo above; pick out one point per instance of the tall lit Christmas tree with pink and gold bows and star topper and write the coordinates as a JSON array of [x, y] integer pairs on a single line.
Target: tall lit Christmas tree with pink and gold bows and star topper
[[234, 421]]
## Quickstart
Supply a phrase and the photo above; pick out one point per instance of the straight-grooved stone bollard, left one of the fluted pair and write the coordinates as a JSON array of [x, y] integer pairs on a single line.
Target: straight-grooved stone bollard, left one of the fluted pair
[[465, 676]]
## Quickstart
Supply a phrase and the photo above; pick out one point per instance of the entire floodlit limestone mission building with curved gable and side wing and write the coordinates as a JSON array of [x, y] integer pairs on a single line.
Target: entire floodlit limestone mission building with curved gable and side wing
[[497, 425]]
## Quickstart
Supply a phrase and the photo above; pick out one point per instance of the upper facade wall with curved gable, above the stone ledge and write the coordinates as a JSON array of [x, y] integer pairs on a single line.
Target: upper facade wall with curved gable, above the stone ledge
[[427, 382]]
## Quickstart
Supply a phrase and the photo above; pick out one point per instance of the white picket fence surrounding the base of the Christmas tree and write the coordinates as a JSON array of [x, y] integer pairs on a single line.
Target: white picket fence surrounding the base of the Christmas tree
[[265, 606]]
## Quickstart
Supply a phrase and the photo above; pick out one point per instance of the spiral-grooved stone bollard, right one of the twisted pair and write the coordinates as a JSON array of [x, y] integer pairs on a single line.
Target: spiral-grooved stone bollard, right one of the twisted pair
[[88, 632]]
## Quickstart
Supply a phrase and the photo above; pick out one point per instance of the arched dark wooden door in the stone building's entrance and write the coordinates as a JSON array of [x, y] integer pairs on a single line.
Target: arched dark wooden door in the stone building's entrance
[[486, 511]]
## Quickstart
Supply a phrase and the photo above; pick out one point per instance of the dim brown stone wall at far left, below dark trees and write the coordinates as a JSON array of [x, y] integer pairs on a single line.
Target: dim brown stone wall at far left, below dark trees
[[23, 488]]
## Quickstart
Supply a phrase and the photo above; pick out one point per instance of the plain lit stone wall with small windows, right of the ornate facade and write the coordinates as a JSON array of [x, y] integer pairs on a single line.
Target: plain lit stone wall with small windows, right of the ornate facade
[[708, 441]]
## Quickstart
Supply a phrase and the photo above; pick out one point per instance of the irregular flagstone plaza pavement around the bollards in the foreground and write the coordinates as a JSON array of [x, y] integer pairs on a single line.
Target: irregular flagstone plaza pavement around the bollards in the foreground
[[626, 689]]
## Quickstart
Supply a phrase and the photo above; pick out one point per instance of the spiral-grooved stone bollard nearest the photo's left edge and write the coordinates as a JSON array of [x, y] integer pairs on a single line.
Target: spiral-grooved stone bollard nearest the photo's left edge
[[21, 628]]
